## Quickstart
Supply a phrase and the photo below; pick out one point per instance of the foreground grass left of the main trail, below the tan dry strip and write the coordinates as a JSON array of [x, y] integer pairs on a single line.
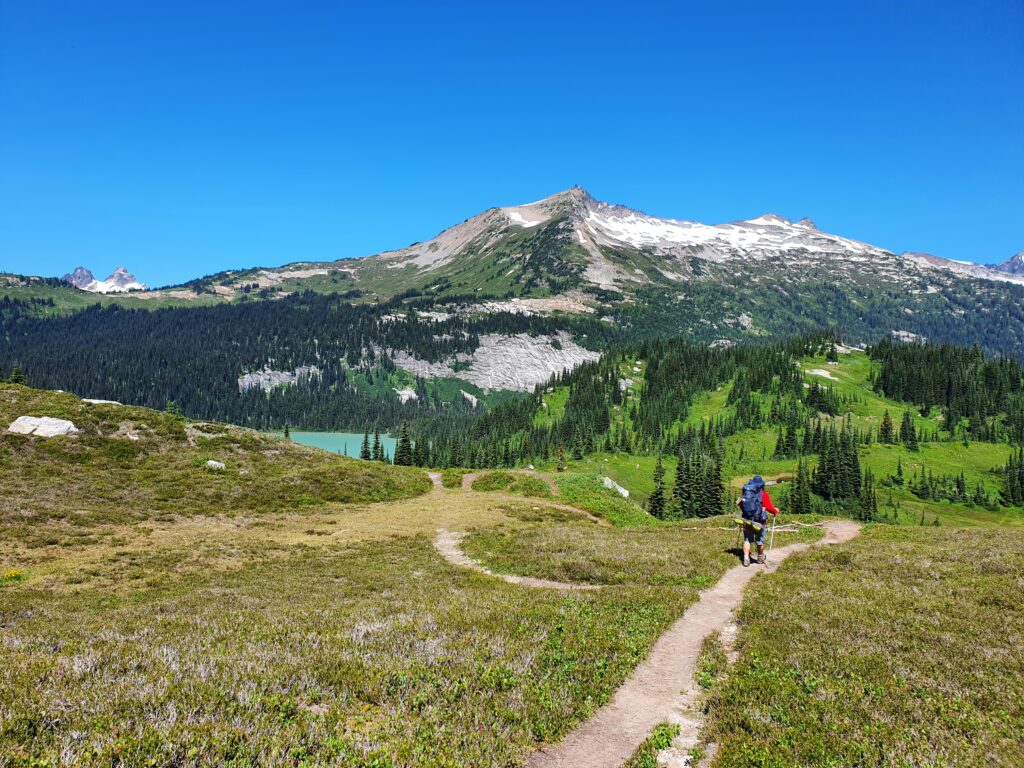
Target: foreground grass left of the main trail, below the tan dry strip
[[369, 657]]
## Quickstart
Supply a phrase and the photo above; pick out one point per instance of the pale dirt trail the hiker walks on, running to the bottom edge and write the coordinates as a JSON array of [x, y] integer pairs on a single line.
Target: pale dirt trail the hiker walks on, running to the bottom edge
[[662, 689]]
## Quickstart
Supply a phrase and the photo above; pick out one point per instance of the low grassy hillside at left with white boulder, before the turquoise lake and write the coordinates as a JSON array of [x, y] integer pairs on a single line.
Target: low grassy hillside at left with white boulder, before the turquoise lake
[[131, 464]]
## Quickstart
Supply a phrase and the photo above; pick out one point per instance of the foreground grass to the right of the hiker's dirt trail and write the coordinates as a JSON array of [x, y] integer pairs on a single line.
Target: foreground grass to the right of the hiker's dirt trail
[[900, 649]]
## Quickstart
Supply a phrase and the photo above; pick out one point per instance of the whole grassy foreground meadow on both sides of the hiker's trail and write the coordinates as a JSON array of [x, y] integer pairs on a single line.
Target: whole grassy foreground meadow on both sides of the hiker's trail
[[291, 610]]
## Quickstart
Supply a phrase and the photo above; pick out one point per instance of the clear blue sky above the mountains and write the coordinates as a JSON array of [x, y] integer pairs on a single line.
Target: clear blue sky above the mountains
[[184, 139]]
